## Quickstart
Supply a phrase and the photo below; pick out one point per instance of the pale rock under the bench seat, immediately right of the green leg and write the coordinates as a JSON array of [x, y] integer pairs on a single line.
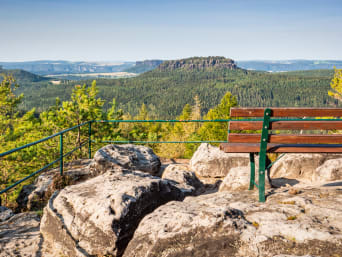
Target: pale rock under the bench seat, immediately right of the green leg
[[302, 166]]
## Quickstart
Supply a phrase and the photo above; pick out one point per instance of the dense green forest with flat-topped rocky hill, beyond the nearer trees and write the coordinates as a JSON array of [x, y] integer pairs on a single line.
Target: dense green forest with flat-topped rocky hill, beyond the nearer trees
[[166, 89]]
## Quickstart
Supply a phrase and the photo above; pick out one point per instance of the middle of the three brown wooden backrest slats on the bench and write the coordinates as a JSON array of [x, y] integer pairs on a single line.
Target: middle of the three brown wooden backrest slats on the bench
[[287, 125]]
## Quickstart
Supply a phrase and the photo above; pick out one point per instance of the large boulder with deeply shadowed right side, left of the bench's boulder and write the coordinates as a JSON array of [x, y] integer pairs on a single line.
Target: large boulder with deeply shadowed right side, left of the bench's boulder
[[99, 216]]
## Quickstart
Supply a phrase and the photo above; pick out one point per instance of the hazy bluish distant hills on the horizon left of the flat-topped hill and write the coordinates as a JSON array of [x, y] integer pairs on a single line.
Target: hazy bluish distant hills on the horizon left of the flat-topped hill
[[65, 67]]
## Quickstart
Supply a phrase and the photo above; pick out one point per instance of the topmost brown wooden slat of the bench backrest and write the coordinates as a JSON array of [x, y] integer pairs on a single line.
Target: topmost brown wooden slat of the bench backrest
[[287, 112]]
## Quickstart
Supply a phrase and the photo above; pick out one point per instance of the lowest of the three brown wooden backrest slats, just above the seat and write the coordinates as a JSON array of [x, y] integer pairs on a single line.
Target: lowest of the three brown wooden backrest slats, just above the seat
[[286, 138]]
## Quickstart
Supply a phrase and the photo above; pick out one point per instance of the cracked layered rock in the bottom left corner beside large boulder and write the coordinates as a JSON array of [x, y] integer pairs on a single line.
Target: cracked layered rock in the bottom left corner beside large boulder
[[19, 236]]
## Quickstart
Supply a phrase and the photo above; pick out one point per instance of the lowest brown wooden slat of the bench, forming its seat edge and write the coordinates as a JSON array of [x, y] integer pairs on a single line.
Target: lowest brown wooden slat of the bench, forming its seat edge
[[281, 148]]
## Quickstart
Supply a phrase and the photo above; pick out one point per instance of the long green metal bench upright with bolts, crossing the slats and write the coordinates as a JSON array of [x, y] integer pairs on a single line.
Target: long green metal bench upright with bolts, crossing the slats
[[262, 154]]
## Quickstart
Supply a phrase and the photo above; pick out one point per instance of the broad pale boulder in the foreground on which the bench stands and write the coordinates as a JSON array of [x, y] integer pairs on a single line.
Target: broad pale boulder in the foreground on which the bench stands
[[236, 225]]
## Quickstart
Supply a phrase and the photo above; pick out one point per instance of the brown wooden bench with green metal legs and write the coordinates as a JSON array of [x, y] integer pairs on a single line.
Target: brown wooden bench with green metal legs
[[268, 120]]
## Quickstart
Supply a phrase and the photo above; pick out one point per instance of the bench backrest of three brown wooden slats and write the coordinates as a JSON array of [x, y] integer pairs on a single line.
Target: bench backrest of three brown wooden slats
[[296, 113]]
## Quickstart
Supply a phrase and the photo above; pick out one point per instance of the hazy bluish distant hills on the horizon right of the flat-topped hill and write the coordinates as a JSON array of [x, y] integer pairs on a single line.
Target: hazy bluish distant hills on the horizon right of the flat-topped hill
[[289, 65]]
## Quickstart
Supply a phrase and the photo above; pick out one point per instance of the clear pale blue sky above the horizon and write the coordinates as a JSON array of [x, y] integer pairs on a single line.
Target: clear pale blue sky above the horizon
[[129, 30]]
